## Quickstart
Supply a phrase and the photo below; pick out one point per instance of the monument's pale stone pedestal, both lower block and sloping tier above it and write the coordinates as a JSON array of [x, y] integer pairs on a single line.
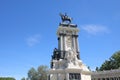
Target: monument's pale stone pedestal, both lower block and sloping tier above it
[[70, 72]]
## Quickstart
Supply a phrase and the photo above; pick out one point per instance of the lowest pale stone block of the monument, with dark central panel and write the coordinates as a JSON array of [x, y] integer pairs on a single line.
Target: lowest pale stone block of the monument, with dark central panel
[[69, 74]]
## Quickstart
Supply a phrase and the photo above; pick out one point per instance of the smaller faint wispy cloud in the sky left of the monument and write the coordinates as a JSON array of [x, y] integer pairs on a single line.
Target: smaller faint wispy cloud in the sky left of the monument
[[33, 40]]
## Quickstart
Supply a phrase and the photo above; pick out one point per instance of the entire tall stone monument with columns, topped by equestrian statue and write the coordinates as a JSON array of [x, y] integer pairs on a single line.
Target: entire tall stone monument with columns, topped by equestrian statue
[[66, 63]]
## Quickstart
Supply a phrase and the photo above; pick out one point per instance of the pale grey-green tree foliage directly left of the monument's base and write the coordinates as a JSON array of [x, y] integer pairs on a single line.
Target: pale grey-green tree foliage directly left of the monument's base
[[39, 74]]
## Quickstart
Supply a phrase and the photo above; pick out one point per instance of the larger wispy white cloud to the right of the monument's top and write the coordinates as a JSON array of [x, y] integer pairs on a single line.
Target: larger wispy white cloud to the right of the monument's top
[[95, 29]]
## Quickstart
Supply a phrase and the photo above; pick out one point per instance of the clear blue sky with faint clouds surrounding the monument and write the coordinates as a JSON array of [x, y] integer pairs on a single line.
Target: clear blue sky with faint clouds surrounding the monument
[[28, 32]]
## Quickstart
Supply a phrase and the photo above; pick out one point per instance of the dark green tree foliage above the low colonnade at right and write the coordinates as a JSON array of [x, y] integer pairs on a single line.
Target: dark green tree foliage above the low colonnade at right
[[112, 63]]
